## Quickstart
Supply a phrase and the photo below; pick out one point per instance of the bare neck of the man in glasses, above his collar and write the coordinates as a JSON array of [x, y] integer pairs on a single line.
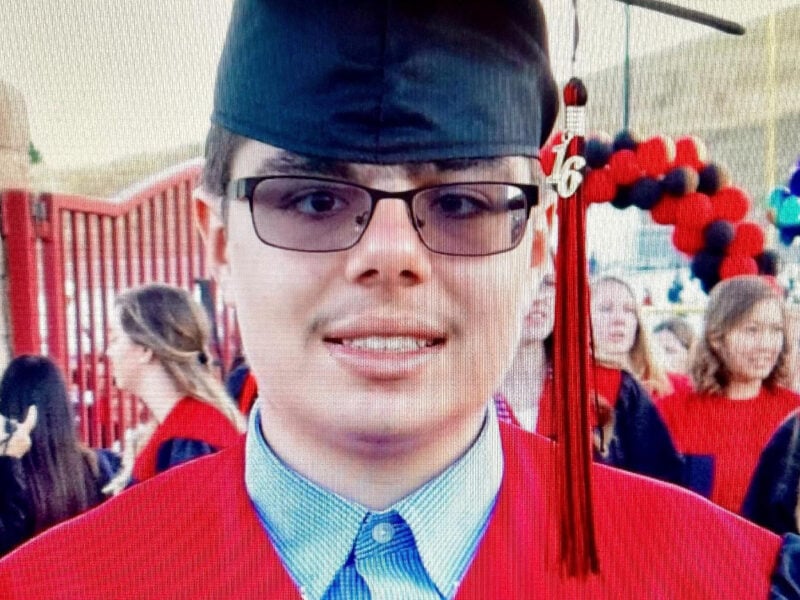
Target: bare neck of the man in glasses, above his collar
[[374, 475]]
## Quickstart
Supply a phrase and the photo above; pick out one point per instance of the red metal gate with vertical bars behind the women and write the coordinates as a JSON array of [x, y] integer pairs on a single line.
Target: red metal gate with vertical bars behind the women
[[68, 256]]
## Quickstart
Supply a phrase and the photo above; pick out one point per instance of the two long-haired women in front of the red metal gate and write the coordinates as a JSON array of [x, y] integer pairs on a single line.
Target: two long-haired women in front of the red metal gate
[[158, 350]]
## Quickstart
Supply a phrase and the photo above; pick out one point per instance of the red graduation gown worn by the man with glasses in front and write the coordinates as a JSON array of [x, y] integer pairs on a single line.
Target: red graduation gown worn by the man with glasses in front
[[193, 533]]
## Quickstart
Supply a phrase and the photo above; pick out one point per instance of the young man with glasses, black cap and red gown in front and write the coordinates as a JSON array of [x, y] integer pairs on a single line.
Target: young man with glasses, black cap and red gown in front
[[370, 197]]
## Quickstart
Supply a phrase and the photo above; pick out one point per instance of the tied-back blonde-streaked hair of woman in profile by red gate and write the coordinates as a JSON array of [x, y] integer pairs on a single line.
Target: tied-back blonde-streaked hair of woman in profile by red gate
[[166, 320]]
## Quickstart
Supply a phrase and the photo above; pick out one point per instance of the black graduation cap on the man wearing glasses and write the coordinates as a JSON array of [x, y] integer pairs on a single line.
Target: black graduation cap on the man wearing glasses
[[384, 81]]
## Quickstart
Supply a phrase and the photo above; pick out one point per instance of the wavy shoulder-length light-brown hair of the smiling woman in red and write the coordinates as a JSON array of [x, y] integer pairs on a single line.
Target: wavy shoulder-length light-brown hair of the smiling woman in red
[[729, 303]]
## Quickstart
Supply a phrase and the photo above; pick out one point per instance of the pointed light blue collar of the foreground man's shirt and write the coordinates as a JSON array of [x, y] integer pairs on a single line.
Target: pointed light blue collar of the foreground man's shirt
[[313, 529]]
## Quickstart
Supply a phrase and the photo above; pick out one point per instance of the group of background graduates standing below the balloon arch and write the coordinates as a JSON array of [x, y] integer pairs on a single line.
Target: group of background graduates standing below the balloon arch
[[697, 408]]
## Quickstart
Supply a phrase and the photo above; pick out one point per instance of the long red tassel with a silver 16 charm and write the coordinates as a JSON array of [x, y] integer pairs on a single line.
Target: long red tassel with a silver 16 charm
[[571, 359]]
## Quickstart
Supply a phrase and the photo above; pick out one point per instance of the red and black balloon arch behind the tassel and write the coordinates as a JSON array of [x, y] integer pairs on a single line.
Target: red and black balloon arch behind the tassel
[[679, 186]]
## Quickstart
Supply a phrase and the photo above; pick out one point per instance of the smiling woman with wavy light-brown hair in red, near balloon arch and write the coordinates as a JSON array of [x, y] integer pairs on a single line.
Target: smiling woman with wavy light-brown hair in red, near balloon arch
[[739, 369]]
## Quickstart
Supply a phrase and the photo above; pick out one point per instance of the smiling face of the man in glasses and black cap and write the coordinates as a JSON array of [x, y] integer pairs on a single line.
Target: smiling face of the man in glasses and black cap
[[386, 341]]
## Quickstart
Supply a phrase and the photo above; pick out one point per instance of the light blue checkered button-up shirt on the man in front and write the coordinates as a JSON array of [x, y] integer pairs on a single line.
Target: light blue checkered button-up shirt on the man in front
[[335, 549]]
